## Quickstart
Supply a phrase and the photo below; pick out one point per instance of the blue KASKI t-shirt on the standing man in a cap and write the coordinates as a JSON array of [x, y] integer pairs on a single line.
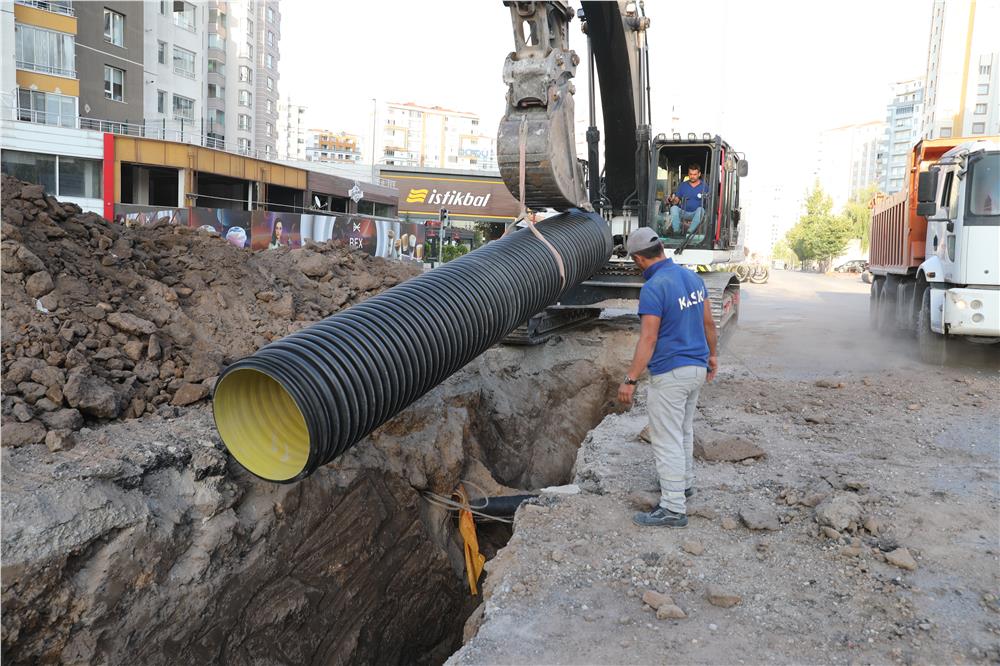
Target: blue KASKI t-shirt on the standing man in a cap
[[678, 297]]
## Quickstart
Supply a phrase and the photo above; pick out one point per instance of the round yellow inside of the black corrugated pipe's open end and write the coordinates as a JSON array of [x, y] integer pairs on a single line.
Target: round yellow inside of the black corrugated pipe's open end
[[261, 424]]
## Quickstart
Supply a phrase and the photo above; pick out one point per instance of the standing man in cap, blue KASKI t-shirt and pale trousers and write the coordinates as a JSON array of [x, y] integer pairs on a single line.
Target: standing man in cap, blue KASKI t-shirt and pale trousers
[[677, 342]]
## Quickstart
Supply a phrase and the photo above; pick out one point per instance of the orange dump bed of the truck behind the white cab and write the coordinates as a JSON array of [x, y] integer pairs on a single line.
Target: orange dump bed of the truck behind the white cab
[[898, 234]]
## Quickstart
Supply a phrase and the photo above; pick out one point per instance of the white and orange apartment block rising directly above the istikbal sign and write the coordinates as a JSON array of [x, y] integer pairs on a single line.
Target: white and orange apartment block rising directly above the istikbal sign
[[431, 136]]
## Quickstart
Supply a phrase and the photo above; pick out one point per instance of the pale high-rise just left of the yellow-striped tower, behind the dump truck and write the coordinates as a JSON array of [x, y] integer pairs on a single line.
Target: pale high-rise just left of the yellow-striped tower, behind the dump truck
[[903, 126]]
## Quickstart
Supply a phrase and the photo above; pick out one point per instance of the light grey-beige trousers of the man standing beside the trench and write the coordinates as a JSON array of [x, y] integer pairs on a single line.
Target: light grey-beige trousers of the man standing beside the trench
[[672, 399]]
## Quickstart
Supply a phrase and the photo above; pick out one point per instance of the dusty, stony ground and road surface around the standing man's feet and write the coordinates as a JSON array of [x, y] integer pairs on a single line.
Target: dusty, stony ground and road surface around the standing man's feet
[[897, 455]]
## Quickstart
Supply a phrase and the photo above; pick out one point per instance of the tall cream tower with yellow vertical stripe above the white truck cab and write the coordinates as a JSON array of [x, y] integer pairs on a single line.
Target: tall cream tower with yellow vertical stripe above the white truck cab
[[961, 83]]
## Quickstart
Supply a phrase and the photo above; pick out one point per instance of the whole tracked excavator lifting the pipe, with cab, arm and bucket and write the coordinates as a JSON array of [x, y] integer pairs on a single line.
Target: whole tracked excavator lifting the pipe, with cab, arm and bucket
[[536, 152]]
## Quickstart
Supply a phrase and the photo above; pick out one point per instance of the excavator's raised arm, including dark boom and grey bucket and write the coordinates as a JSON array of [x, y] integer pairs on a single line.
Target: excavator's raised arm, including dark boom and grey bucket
[[536, 145]]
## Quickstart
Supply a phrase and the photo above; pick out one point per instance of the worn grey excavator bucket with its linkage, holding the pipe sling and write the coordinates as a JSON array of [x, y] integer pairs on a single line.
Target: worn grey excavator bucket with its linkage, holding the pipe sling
[[536, 148]]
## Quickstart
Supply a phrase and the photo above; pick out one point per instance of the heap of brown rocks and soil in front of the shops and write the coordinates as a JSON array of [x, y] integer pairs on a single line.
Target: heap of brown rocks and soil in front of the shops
[[101, 321]]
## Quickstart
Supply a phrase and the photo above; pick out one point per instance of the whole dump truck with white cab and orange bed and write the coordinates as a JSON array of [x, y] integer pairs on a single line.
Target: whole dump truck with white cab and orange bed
[[935, 248]]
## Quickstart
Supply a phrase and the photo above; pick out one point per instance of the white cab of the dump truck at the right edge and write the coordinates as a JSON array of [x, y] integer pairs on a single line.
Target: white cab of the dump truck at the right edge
[[960, 197]]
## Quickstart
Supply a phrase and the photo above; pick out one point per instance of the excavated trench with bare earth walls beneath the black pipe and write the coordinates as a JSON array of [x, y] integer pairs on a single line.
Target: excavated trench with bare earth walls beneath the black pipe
[[153, 547]]
